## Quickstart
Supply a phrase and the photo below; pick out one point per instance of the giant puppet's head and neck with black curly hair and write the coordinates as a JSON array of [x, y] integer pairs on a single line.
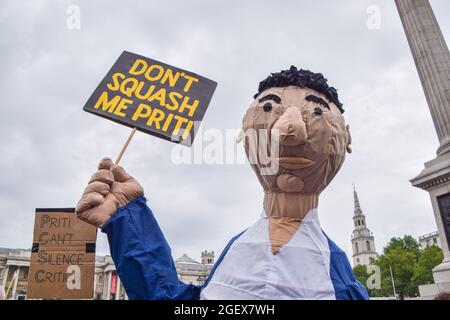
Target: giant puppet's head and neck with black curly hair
[[295, 138]]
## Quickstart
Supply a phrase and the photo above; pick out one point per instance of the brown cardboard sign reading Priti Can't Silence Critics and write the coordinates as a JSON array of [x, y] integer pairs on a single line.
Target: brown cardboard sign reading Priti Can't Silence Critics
[[62, 261]]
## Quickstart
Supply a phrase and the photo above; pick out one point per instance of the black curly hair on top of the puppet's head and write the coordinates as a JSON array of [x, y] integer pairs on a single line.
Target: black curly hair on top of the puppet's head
[[300, 78]]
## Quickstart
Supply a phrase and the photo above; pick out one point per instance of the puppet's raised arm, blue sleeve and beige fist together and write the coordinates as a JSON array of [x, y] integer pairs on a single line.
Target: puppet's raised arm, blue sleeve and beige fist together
[[115, 202]]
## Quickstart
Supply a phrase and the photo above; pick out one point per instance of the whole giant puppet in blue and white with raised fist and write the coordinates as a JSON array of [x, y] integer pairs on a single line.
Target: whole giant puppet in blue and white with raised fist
[[285, 254]]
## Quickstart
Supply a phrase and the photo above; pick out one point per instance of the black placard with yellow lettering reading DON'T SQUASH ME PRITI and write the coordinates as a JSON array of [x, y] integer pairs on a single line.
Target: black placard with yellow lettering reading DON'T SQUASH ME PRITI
[[153, 97]]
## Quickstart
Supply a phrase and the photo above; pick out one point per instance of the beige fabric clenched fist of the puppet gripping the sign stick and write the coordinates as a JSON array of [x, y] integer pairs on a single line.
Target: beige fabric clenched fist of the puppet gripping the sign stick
[[109, 189]]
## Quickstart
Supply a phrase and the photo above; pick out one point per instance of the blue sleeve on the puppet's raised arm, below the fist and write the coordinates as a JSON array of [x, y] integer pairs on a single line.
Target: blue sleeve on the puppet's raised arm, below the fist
[[143, 257]]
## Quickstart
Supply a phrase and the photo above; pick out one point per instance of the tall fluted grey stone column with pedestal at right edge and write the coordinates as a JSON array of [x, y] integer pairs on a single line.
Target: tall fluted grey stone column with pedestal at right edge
[[432, 59]]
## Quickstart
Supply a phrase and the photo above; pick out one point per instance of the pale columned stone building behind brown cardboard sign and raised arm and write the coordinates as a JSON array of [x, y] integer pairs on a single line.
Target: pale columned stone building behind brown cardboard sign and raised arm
[[15, 263]]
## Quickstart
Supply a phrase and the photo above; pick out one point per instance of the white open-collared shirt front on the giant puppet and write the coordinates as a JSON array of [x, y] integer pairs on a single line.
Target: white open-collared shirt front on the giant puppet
[[249, 270]]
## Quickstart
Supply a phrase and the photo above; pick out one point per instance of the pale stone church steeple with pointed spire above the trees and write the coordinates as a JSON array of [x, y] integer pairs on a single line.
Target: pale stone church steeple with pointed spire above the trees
[[363, 243]]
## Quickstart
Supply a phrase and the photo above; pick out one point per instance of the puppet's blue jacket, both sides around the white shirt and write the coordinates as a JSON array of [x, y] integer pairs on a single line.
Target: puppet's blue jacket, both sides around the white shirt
[[145, 266]]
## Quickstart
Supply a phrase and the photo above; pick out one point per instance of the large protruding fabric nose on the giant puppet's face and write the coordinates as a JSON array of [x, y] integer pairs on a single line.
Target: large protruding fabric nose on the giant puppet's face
[[291, 128]]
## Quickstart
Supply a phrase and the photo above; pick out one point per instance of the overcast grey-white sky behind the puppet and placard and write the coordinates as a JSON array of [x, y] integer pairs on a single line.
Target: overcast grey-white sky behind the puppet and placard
[[50, 147]]
